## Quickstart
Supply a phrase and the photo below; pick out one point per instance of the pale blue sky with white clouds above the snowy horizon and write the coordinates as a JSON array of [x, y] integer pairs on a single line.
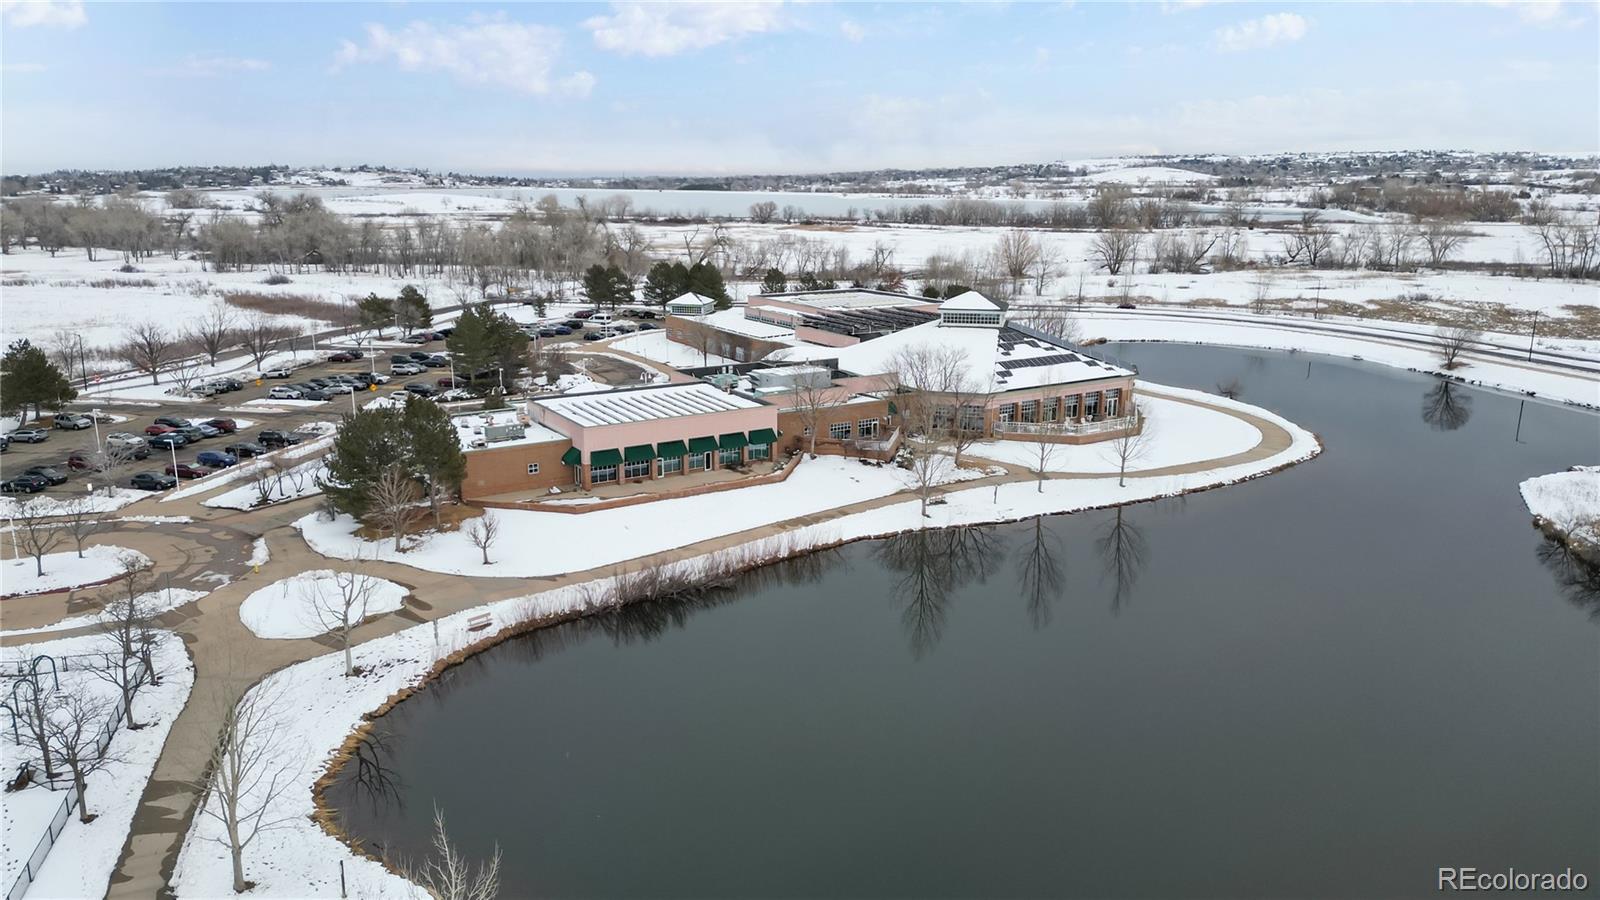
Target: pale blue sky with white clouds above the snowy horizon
[[782, 87]]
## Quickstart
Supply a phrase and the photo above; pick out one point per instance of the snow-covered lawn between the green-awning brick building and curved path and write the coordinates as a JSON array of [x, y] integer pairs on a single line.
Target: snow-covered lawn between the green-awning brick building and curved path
[[551, 544]]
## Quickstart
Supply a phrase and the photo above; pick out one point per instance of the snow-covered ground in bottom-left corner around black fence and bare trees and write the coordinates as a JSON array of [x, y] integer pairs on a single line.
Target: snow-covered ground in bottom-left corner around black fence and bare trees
[[84, 858]]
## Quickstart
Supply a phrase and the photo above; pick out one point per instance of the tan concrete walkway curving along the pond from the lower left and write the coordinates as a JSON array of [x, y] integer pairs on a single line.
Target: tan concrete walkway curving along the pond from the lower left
[[230, 659]]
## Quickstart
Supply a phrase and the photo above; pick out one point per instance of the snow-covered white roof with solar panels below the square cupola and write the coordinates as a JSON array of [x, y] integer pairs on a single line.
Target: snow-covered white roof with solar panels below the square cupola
[[998, 360]]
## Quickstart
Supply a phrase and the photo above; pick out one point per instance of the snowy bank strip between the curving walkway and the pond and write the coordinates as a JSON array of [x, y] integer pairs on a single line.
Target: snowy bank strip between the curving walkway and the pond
[[324, 713]]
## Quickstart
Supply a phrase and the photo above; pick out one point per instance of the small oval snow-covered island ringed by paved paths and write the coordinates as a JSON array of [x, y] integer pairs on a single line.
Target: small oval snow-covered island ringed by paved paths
[[311, 603]]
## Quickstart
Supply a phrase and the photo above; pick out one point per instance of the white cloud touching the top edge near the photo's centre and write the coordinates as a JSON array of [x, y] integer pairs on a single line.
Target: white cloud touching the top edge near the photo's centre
[[666, 30]]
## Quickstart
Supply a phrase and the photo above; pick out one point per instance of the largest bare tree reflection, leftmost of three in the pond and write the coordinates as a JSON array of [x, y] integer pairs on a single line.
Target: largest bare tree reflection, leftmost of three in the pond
[[935, 563]]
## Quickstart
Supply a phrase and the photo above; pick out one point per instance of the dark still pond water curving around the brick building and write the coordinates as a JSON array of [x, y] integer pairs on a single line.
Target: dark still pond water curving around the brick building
[[1327, 683]]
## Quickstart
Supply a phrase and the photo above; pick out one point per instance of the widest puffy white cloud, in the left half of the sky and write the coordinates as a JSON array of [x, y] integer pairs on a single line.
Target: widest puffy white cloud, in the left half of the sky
[[486, 52]]
